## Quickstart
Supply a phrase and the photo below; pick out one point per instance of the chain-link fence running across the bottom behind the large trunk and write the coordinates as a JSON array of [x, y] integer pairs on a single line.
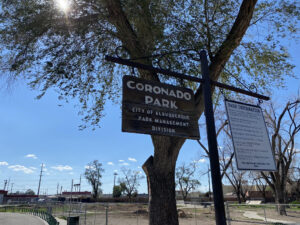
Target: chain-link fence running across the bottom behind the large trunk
[[189, 214]]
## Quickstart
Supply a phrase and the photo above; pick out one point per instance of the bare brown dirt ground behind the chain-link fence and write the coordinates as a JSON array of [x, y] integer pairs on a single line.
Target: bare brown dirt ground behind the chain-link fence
[[136, 214]]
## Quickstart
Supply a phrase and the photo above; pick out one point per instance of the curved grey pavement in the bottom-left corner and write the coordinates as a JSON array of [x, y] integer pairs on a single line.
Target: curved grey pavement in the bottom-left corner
[[20, 219]]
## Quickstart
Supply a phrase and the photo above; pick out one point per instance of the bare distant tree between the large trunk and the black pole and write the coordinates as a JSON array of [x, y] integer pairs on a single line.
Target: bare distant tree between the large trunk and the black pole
[[185, 179]]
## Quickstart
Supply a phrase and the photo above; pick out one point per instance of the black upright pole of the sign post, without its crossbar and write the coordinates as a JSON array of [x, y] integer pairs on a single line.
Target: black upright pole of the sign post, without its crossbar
[[212, 144]]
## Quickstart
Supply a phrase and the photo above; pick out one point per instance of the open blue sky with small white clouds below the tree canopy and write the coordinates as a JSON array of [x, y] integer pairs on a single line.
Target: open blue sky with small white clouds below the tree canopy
[[33, 132]]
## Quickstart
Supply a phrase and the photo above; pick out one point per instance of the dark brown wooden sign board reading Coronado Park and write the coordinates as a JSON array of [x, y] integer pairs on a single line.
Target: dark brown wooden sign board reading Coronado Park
[[154, 108]]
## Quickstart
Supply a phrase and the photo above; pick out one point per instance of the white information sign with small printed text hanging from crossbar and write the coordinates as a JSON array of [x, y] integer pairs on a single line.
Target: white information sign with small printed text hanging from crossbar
[[250, 137]]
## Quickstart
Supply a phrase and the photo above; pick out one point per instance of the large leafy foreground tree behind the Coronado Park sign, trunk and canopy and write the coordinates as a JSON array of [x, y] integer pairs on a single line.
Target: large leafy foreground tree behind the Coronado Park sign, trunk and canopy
[[64, 50]]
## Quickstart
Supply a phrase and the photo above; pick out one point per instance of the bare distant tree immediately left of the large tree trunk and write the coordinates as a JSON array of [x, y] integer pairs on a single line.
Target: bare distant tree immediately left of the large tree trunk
[[130, 182]]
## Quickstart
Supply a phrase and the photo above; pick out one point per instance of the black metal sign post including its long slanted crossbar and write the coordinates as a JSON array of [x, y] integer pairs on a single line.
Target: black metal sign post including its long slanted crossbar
[[209, 115]]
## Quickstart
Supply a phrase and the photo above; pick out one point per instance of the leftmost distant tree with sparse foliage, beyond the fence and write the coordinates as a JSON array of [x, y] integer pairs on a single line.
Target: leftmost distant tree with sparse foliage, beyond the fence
[[93, 174]]
